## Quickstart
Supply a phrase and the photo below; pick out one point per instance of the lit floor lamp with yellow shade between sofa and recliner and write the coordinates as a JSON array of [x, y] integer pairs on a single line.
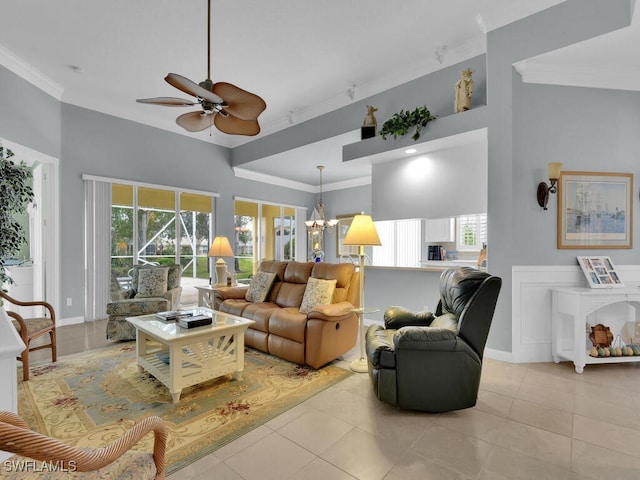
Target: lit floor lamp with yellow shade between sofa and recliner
[[362, 233]]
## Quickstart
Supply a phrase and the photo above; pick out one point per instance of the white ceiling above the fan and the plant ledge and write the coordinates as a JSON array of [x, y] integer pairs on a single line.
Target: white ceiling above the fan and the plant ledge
[[304, 58]]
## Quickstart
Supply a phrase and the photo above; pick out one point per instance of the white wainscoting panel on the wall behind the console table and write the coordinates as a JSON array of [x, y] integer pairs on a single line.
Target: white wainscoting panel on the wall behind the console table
[[531, 305]]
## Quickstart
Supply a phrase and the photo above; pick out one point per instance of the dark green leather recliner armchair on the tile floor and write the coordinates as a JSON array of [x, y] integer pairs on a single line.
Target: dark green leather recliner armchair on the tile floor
[[432, 362]]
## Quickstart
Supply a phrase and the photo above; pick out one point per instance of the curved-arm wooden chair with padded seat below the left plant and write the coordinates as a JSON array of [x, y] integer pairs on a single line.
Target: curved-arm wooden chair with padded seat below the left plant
[[32, 328]]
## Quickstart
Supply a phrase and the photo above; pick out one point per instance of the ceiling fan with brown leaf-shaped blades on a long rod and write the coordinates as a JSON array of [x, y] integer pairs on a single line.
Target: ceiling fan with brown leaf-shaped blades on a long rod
[[231, 109]]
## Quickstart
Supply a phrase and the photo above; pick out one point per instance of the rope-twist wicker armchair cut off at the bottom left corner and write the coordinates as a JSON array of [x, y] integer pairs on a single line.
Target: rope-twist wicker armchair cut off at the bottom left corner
[[112, 461]]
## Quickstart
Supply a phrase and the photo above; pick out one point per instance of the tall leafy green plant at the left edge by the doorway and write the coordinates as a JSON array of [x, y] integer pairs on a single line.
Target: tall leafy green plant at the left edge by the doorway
[[15, 194]]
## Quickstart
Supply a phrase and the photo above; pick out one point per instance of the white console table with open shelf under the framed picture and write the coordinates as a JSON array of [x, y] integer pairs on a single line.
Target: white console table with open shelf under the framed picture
[[574, 305]]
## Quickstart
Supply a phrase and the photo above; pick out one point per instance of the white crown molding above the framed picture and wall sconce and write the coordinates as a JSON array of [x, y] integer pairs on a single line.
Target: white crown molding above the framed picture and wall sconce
[[585, 76]]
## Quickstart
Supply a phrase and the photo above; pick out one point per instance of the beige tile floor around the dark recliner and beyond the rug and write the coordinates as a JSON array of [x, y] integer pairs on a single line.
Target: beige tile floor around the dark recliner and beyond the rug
[[532, 421]]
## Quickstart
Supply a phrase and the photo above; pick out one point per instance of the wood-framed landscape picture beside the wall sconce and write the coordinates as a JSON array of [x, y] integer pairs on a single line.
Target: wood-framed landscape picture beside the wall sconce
[[595, 210]]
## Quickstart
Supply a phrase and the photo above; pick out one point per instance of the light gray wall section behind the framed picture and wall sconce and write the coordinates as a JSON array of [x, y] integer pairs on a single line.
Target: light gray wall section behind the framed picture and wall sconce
[[592, 130]]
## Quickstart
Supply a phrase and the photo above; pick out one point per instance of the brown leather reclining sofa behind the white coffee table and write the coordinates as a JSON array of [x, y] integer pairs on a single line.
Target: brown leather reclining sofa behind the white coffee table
[[315, 338]]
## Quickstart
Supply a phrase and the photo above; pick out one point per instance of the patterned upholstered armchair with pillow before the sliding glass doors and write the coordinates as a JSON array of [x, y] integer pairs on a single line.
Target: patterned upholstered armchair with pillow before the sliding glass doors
[[153, 289]]
